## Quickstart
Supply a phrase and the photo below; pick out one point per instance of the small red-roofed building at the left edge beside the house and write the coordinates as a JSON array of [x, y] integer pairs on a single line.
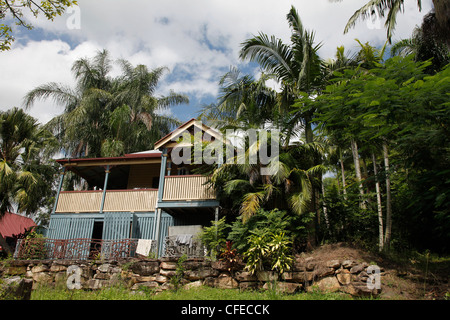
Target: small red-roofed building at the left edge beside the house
[[12, 226]]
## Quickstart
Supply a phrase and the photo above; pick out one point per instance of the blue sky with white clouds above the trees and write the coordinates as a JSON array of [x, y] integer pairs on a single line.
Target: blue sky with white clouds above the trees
[[197, 40]]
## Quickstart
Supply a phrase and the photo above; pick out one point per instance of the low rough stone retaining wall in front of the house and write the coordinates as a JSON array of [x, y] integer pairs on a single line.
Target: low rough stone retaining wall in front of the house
[[306, 274]]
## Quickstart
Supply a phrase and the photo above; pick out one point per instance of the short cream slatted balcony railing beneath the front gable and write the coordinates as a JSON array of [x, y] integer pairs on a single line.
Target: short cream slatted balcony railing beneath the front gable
[[191, 187]]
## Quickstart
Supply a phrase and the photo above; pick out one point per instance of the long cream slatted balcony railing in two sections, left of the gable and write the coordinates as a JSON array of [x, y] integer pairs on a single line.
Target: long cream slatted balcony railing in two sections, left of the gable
[[136, 200]]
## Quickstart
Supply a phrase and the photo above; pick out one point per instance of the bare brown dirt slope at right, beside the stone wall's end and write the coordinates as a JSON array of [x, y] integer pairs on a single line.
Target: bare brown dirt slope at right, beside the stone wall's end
[[401, 279]]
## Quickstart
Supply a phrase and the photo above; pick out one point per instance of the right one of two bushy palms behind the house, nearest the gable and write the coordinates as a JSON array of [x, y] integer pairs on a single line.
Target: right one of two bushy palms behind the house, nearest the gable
[[137, 111]]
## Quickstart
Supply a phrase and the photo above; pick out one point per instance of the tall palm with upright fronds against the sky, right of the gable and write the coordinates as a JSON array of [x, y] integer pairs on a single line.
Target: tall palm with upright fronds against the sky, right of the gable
[[297, 67]]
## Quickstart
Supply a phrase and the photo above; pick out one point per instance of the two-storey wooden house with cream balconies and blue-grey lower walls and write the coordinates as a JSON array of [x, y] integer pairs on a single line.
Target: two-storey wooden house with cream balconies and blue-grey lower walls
[[145, 195]]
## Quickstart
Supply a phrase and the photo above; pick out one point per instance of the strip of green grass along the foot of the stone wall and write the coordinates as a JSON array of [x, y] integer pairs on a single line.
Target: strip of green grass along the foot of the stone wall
[[200, 293]]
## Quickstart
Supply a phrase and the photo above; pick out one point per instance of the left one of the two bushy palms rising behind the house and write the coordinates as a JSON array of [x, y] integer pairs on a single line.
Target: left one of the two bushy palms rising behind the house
[[79, 128]]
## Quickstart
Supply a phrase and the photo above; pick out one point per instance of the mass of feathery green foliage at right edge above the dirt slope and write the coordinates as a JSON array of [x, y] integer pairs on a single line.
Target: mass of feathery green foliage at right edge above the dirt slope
[[395, 103]]
